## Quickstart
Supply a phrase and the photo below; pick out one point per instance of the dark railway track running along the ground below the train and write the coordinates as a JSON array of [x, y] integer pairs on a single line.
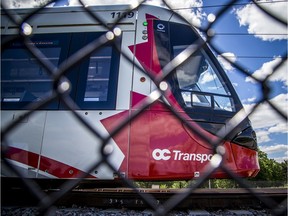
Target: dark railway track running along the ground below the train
[[123, 198]]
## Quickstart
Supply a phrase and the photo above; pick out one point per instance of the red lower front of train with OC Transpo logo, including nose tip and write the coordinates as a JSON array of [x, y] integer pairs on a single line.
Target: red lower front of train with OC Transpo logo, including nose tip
[[178, 153]]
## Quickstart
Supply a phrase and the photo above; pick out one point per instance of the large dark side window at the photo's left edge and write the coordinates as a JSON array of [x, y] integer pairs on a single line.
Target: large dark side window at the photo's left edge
[[23, 79]]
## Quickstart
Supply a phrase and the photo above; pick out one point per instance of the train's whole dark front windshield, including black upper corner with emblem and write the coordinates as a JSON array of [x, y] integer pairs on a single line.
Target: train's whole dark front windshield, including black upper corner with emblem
[[199, 82]]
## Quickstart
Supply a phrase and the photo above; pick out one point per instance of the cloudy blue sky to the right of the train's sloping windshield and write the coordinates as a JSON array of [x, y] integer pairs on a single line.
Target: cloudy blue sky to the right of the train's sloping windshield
[[256, 43]]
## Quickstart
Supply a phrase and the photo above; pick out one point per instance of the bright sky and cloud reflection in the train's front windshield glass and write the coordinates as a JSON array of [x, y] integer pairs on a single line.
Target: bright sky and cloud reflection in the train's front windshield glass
[[200, 84]]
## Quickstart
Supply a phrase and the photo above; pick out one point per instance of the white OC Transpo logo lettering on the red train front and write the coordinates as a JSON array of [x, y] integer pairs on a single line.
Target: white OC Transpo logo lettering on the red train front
[[177, 155]]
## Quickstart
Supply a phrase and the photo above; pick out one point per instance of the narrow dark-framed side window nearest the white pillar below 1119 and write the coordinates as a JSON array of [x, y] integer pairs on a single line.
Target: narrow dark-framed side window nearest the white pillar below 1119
[[97, 78]]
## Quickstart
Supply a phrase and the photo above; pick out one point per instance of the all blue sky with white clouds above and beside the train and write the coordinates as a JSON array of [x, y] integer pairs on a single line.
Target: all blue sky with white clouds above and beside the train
[[247, 37]]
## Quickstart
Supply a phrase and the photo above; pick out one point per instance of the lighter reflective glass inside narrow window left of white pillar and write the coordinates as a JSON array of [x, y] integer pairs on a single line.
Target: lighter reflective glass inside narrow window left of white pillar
[[98, 75]]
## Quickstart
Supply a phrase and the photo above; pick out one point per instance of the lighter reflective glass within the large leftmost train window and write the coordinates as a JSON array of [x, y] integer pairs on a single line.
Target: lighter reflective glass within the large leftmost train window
[[23, 79]]
